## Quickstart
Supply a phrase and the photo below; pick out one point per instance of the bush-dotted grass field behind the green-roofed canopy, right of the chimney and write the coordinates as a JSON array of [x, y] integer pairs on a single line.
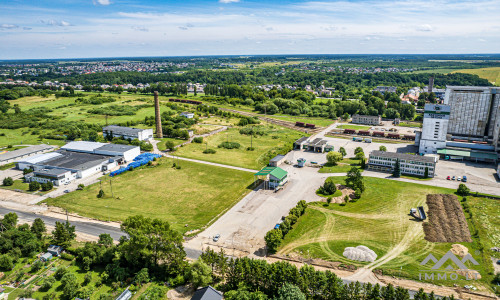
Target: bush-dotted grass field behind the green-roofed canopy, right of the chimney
[[276, 137]]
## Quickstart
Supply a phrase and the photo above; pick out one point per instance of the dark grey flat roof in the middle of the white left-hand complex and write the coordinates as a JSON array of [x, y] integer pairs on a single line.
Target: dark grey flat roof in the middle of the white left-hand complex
[[75, 160]]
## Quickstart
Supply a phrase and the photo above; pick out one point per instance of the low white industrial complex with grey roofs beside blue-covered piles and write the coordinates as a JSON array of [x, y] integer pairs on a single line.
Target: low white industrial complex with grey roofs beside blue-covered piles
[[76, 160]]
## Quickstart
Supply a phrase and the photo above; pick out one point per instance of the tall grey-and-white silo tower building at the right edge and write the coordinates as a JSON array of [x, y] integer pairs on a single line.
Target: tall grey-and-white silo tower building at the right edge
[[466, 127]]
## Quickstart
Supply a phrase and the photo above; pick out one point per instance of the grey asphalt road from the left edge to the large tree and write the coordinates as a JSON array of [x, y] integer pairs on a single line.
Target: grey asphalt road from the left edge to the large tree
[[89, 228]]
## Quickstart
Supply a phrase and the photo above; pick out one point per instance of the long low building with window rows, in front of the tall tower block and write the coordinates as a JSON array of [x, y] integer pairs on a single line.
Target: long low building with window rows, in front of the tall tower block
[[409, 164]]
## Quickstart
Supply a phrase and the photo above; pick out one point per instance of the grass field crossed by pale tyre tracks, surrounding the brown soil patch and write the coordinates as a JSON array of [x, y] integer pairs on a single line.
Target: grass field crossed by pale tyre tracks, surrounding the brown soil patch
[[380, 221]]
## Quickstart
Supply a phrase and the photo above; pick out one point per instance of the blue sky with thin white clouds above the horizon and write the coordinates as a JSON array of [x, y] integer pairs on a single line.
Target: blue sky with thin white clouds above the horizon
[[126, 28]]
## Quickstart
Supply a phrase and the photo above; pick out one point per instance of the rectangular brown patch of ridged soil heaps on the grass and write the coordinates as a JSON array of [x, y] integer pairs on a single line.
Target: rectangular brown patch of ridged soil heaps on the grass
[[447, 222]]
